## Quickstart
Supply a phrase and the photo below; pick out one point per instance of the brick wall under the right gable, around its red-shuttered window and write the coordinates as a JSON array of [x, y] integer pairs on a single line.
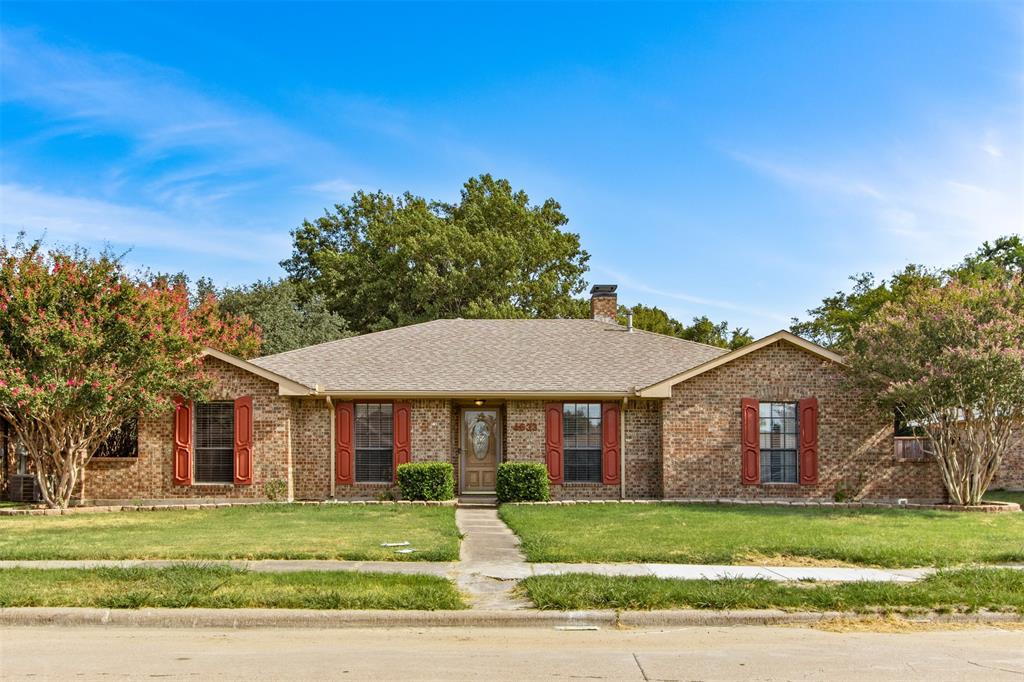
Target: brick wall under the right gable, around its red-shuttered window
[[701, 434]]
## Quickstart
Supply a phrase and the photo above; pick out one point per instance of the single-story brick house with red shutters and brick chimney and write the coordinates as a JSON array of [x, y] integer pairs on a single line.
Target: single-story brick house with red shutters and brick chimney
[[613, 412]]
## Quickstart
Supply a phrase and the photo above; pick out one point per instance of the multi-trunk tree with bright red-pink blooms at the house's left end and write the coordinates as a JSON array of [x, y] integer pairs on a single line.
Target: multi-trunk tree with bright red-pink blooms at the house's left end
[[86, 347]]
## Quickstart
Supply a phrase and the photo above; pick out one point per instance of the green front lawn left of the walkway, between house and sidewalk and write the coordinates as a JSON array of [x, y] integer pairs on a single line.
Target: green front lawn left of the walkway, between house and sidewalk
[[258, 532]]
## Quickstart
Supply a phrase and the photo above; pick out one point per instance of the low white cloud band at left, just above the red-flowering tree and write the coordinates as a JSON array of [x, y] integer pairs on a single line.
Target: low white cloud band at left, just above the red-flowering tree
[[90, 222]]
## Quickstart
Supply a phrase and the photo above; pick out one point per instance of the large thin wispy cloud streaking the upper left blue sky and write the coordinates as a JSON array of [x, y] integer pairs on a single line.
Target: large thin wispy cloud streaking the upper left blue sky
[[186, 147]]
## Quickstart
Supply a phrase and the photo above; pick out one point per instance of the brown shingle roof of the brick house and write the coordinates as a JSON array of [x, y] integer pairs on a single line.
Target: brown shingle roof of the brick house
[[493, 357]]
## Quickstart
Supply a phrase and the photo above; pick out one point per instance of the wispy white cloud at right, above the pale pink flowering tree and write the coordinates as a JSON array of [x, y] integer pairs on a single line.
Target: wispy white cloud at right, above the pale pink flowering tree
[[944, 193]]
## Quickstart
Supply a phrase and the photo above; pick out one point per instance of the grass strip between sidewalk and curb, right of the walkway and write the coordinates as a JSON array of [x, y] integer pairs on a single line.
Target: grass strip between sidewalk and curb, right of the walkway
[[997, 589]]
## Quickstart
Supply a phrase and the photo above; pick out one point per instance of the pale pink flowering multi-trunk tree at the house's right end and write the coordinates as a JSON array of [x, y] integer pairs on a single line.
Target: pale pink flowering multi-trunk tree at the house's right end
[[951, 361]]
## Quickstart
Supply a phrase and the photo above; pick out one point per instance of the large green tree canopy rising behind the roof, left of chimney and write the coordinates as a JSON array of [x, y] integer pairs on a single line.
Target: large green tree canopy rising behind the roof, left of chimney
[[382, 262]]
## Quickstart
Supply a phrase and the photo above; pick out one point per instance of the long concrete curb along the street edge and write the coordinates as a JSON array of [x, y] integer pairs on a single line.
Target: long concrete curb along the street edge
[[268, 618]]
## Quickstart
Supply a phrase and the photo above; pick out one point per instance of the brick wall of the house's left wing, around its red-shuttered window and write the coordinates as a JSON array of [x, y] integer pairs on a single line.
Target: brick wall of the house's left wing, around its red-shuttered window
[[150, 476]]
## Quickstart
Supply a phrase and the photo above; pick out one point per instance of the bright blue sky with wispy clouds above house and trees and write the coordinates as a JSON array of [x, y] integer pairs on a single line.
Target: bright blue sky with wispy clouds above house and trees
[[732, 160]]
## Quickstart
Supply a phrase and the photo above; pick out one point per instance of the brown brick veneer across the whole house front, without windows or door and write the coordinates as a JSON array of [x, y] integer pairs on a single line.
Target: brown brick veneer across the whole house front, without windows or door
[[685, 447]]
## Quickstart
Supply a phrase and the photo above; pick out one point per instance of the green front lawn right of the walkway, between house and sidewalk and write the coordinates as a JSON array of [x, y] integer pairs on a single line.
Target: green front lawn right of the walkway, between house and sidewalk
[[721, 534]]
